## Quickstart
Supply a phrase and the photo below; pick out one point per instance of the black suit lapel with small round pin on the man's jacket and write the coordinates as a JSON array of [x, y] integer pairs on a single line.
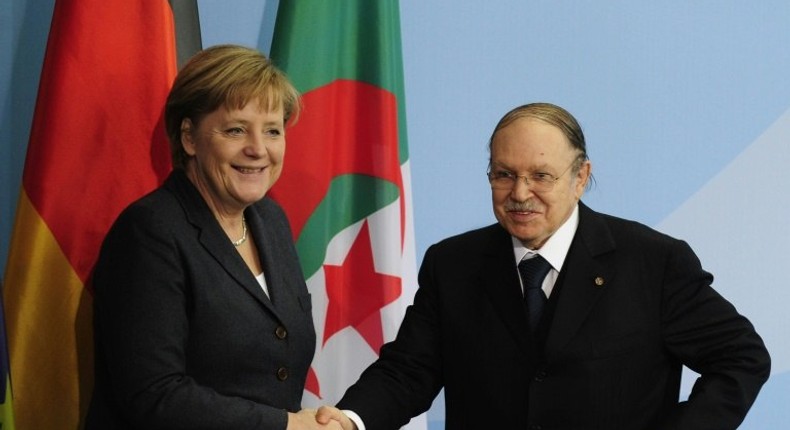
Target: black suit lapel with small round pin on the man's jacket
[[583, 279]]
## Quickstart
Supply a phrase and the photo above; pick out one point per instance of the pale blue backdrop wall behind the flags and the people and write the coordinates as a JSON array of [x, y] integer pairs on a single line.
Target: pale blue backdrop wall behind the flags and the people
[[685, 105]]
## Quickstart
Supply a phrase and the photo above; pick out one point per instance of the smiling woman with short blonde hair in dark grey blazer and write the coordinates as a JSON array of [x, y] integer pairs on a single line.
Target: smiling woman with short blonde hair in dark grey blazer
[[202, 316]]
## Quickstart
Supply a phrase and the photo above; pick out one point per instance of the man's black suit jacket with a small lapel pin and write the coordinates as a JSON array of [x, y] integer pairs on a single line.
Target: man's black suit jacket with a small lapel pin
[[630, 306]]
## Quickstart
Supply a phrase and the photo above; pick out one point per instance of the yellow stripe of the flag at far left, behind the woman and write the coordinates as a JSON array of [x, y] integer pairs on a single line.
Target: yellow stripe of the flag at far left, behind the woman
[[48, 314]]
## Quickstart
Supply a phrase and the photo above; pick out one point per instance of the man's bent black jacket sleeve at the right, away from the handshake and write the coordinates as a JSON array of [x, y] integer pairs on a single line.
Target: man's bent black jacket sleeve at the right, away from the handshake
[[710, 337]]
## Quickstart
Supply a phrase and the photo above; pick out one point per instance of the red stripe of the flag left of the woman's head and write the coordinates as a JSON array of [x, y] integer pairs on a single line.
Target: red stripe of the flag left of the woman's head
[[97, 140]]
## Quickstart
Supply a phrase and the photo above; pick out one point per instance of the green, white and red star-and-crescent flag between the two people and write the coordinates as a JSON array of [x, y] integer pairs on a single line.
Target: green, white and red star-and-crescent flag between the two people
[[346, 183]]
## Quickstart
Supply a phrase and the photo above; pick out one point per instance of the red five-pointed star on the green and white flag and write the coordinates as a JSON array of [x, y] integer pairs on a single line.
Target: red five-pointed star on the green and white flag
[[356, 293]]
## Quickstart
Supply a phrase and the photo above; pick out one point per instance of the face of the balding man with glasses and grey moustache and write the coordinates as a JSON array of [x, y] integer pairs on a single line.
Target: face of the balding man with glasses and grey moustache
[[526, 147]]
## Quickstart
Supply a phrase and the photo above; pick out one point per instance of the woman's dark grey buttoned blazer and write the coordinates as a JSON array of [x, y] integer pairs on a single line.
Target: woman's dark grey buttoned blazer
[[185, 336]]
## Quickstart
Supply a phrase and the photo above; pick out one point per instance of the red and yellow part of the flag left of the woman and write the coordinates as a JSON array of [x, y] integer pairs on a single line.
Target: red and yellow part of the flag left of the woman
[[97, 142]]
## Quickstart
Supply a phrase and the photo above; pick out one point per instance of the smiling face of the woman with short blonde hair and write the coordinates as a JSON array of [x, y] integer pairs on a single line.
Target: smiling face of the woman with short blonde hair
[[236, 155]]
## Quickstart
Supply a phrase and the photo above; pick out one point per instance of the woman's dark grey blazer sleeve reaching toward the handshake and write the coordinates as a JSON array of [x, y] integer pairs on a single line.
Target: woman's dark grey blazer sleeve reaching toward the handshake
[[142, 328]]
